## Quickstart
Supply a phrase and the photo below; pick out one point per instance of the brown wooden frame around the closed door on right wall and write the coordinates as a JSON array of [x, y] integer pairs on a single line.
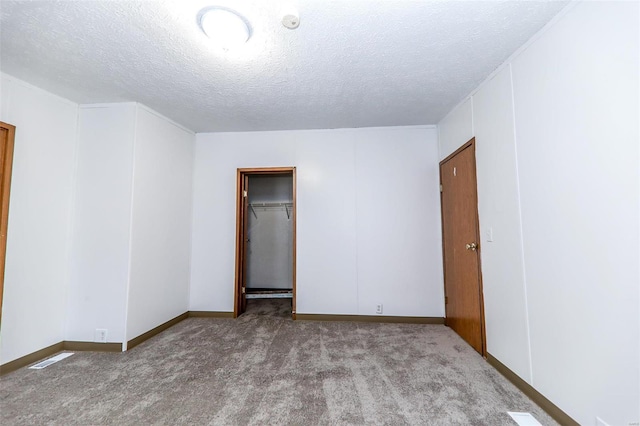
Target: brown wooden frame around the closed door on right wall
[[472, 145]]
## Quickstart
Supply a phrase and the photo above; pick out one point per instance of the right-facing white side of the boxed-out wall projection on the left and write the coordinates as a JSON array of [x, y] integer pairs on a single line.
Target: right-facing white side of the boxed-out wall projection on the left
[[160, 223]]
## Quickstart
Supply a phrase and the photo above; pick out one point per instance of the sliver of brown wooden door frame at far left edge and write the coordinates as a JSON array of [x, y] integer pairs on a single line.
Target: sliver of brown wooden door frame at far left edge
[[5, 190]]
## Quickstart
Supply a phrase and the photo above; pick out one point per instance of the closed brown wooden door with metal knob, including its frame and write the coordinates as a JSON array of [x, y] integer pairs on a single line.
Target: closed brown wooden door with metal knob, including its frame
[[462, 278]]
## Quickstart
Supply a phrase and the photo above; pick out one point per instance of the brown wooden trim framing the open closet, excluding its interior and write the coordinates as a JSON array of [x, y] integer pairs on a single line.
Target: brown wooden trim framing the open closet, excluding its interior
[[241, 214]]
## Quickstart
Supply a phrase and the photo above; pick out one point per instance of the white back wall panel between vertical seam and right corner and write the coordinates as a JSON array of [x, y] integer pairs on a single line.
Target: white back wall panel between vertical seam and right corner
[[399, 242]]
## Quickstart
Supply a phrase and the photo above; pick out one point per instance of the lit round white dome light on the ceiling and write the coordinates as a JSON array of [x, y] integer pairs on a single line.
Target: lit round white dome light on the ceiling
[[225, 27]]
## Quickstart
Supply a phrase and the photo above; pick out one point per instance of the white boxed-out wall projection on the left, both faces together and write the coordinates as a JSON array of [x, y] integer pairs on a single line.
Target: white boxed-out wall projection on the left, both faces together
[[132, 219]]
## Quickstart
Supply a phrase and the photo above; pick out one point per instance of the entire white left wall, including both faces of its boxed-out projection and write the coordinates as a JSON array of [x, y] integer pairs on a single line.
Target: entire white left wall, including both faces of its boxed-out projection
[[96, 239]]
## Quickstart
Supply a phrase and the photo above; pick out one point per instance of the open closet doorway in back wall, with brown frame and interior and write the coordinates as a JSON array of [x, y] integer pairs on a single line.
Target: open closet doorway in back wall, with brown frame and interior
[[266, 241]]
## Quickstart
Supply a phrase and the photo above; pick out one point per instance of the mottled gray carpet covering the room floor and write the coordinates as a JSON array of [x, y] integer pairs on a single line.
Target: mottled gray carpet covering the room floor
[[263, 368]]
